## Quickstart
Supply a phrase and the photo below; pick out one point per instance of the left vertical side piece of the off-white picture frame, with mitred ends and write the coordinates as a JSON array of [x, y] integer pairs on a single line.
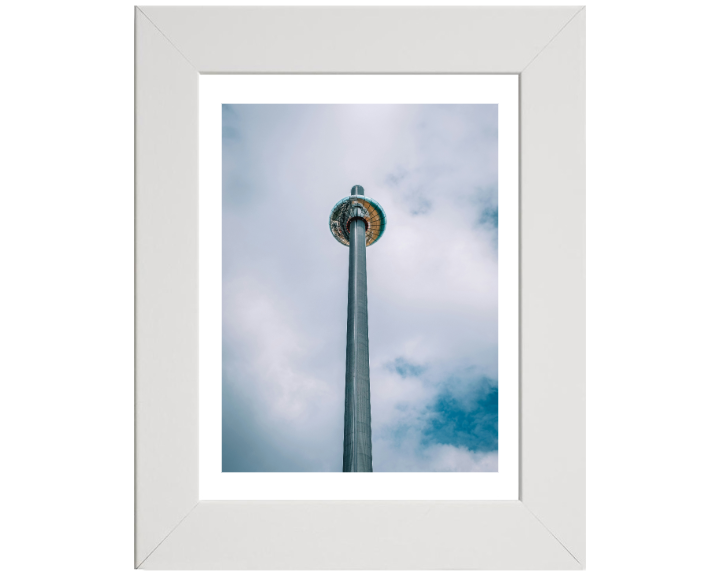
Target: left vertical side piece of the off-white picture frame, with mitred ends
[[166, 287]]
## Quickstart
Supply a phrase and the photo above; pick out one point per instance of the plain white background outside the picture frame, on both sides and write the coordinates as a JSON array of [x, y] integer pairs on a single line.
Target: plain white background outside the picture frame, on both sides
[[66, 312]]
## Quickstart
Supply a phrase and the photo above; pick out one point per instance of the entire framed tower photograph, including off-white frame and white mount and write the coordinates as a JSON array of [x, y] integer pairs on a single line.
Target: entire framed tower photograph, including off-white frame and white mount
[[272, 170]]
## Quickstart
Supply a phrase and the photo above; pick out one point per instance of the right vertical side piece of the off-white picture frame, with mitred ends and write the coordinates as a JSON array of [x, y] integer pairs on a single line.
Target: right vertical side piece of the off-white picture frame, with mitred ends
[[553, 287]]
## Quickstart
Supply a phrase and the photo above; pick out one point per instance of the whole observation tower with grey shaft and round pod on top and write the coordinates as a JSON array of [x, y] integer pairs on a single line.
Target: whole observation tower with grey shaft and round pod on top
[[357, 221]]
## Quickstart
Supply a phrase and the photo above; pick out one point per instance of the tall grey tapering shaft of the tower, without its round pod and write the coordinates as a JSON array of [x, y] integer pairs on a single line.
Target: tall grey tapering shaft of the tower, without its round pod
[[357, 448]]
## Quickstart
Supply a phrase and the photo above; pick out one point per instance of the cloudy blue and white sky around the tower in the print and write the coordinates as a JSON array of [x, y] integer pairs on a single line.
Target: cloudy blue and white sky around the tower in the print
[[432, 285]]
